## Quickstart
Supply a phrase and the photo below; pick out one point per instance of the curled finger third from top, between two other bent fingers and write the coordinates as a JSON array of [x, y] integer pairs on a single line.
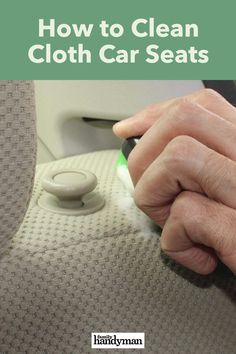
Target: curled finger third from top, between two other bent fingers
[[185, 164]]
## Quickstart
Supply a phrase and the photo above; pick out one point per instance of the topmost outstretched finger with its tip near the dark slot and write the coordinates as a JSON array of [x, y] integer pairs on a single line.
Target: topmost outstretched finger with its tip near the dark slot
[[141, 122]]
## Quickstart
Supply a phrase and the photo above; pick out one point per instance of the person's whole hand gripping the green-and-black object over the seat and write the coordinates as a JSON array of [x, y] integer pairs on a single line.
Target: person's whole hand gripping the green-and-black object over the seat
[[184, 172]]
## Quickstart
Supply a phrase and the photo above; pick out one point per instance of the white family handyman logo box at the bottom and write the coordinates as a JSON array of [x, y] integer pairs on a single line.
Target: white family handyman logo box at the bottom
[[118, 340]]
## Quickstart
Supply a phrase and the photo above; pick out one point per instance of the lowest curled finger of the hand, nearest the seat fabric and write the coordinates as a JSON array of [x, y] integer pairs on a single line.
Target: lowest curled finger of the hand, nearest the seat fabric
[[197, 226]]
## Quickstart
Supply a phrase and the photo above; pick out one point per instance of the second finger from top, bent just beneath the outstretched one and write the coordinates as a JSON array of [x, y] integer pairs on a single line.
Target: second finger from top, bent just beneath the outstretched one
[[189, 119]]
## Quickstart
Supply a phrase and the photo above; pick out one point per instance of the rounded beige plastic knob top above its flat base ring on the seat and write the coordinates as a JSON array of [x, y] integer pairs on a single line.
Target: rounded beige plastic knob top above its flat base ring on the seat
[[69, 185]]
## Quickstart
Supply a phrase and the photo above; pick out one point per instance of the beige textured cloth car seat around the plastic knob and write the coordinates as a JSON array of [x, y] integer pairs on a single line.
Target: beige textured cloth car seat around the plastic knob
[[63, 277]]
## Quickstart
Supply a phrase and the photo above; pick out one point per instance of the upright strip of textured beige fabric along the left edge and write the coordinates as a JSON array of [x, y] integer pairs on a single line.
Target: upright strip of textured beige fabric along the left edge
[[17, 155]]
